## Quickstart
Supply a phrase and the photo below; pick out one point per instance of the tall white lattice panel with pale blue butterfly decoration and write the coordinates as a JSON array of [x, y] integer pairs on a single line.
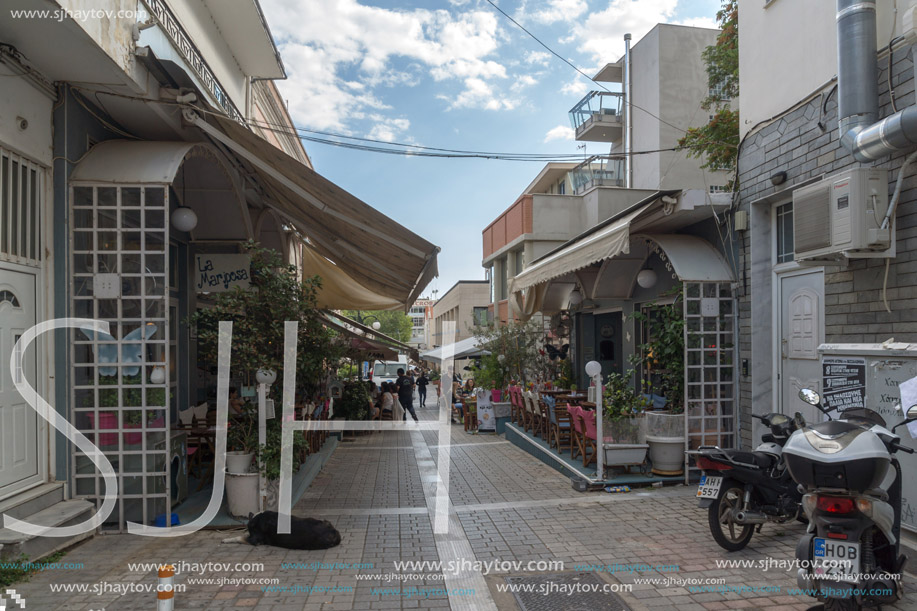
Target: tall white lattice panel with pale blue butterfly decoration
[[119, 236]]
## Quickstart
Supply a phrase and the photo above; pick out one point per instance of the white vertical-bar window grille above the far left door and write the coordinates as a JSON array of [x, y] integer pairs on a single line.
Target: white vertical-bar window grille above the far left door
[[21, 185]]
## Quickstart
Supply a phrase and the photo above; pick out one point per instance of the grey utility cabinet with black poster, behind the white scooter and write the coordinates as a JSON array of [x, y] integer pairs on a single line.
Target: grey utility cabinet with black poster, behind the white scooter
[[884, 367]]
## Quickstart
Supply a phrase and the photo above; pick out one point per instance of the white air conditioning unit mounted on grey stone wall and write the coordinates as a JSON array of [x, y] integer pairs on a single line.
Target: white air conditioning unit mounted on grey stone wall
[[839, 218]]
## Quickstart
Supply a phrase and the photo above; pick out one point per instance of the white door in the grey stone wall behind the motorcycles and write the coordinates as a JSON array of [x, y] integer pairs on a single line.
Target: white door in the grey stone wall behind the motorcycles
[[800, 303]]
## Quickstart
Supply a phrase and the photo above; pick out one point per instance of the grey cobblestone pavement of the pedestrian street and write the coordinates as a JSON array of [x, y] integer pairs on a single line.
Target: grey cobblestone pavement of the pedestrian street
[[503, 505]]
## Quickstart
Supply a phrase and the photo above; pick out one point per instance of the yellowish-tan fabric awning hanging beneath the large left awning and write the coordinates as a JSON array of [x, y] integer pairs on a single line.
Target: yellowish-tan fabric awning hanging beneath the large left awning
[[339, 291]]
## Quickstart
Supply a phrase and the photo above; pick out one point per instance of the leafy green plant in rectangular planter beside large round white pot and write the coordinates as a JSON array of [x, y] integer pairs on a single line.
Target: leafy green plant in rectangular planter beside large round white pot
[[623, 410]]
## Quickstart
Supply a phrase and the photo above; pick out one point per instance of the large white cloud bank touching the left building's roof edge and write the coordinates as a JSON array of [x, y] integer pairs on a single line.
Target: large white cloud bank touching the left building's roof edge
[[338, 52]]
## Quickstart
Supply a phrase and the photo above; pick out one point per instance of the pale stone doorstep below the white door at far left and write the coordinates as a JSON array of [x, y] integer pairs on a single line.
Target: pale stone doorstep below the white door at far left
[[65, 513]]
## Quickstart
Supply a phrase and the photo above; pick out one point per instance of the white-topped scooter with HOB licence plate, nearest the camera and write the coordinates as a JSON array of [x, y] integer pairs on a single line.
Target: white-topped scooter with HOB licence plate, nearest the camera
[[850, 552]]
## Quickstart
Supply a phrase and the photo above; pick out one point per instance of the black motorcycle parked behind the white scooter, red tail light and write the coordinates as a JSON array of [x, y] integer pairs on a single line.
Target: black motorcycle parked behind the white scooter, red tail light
[[743, 490]]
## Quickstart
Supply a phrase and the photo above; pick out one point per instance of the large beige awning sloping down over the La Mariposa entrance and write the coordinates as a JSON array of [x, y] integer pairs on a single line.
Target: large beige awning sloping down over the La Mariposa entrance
[[375, 251]]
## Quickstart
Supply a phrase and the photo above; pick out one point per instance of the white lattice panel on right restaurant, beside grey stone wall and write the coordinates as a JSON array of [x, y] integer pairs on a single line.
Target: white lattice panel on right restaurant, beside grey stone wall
[[710, 365]]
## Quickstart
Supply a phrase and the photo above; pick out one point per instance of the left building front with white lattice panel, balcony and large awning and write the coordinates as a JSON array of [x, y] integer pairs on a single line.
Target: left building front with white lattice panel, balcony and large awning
[[138, 154]]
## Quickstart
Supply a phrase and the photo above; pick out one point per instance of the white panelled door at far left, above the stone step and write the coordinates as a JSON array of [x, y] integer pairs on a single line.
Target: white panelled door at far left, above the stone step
[[18, 422]]
